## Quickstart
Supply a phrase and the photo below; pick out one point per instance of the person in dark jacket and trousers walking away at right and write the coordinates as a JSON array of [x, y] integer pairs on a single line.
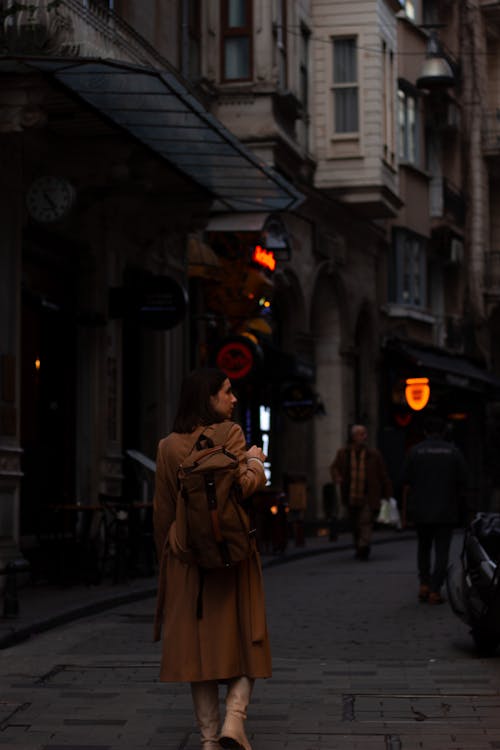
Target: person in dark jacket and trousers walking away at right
[[434, 479]]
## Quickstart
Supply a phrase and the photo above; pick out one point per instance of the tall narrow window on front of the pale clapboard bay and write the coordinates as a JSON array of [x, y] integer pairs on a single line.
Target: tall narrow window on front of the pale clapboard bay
[[345, 86]]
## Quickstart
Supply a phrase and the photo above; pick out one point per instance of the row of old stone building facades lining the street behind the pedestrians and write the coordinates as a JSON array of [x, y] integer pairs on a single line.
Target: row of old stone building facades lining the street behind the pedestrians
[[187, 134]]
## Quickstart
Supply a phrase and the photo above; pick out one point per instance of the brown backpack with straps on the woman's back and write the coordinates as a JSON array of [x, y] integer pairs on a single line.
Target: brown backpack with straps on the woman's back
[[212, 527]]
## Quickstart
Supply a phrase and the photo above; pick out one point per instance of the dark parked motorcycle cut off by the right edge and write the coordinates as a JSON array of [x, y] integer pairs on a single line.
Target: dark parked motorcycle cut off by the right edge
[[473, 581]]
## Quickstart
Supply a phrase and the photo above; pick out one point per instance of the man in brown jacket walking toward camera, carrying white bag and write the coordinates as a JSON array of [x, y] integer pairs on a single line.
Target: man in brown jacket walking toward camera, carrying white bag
[[363, 480]]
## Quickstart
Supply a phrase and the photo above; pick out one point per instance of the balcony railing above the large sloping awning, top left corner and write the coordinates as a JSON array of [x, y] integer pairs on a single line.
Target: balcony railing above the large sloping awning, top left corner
[[76, 28]]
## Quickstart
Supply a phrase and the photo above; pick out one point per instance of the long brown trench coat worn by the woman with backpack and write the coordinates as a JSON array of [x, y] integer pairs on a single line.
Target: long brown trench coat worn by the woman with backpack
[[231, 638]]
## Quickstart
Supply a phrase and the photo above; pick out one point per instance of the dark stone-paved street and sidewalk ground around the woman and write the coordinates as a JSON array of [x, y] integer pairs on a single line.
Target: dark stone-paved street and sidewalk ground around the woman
[[358, 664]]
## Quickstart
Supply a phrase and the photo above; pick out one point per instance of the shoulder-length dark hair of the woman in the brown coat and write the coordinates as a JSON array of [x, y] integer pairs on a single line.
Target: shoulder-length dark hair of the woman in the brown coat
[[194, 407]]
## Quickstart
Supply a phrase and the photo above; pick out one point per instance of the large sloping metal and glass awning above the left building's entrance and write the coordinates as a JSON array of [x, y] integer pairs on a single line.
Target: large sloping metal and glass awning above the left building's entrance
[[158, 110]]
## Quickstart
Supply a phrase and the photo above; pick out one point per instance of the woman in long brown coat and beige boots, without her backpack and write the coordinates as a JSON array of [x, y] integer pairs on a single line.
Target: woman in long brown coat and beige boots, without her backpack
[[229, 642]]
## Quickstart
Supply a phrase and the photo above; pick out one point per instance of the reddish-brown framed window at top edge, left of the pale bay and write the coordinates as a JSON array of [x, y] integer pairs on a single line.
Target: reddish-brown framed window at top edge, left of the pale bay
[[236, 40]]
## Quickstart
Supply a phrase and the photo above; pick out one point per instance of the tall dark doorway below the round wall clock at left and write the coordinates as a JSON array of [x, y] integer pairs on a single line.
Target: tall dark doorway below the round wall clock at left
[[47, 405]]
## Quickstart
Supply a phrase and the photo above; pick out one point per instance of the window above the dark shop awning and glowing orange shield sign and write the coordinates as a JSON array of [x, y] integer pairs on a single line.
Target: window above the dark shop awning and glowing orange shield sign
[[408, 269]]
